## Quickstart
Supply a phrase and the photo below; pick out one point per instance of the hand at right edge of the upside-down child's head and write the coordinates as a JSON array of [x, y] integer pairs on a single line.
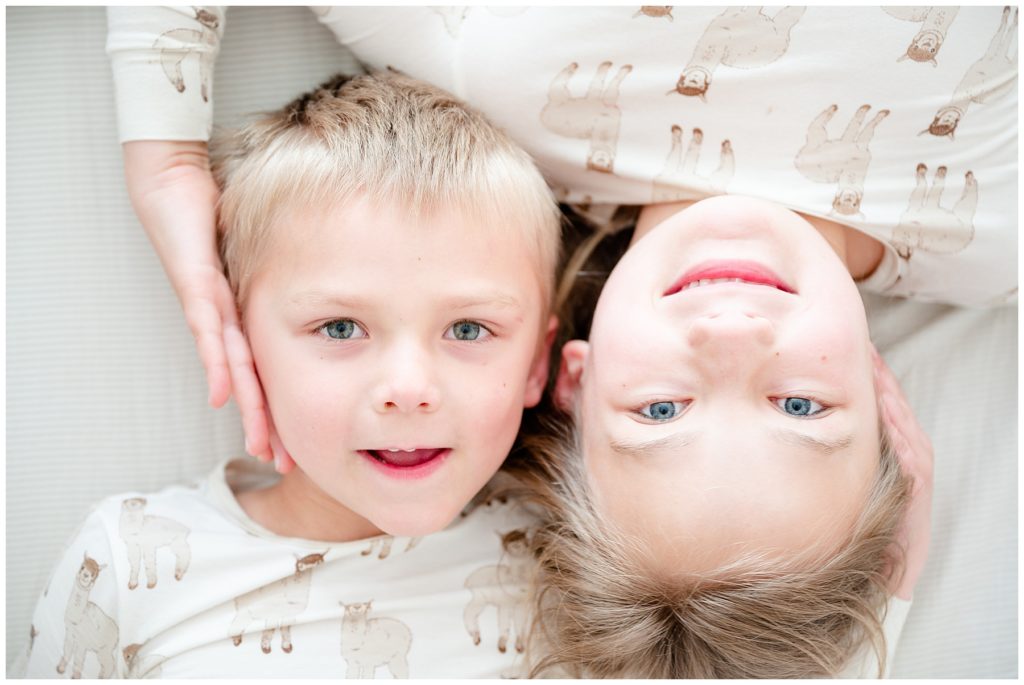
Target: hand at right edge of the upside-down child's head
[[917, 460]]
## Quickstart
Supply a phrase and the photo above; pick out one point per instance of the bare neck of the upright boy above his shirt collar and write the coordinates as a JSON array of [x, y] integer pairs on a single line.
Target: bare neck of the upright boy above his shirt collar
[[295, 507]]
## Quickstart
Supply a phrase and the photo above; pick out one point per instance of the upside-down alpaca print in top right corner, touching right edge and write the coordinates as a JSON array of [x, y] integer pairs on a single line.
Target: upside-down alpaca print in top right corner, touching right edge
[[989, 79]]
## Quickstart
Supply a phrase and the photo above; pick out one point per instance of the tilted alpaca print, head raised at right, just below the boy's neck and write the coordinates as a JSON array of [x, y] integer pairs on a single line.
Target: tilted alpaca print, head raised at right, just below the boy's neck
[[277, 605]]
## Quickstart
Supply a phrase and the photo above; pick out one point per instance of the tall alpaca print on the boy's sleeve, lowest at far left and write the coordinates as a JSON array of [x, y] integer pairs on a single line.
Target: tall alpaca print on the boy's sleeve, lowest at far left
[[88, 628]]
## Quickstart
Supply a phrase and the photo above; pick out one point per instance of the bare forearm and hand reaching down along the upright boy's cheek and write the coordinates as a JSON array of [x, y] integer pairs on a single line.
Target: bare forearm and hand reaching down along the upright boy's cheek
[[176, 197]]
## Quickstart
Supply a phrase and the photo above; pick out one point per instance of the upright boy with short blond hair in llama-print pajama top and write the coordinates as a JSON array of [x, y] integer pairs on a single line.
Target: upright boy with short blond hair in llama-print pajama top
[[393, 256]]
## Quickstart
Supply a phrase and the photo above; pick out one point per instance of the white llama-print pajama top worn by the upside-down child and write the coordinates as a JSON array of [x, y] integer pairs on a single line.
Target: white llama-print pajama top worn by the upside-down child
[[828, 111]]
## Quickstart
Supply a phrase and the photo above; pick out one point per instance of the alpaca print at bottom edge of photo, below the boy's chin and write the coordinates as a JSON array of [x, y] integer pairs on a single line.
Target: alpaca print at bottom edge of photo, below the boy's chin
[[368, 644]]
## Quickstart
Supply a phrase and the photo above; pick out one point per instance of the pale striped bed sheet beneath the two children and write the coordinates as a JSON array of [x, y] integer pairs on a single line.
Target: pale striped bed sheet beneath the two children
[[105, 392]]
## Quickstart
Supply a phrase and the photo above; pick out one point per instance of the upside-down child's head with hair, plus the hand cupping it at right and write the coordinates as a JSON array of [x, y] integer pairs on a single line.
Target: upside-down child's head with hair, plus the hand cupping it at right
[[731, 493]]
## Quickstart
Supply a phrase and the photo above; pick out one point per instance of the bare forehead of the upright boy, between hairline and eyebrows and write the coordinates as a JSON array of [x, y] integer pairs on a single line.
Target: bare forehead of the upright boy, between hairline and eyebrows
[[317, 250]]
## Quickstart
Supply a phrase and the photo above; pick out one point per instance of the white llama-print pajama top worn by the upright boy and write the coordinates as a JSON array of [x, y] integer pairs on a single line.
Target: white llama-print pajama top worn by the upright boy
[[248, 604]]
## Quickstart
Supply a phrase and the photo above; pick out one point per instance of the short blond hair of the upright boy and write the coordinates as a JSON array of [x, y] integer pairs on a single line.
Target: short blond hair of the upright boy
[[388, 139]]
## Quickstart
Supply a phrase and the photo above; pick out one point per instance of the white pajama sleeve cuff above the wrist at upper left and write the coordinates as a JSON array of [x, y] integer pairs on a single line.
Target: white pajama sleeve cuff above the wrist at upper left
[[163, 62]]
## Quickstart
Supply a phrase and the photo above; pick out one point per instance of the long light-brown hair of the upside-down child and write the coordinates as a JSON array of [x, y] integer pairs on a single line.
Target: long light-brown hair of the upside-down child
[[602, 613]]
